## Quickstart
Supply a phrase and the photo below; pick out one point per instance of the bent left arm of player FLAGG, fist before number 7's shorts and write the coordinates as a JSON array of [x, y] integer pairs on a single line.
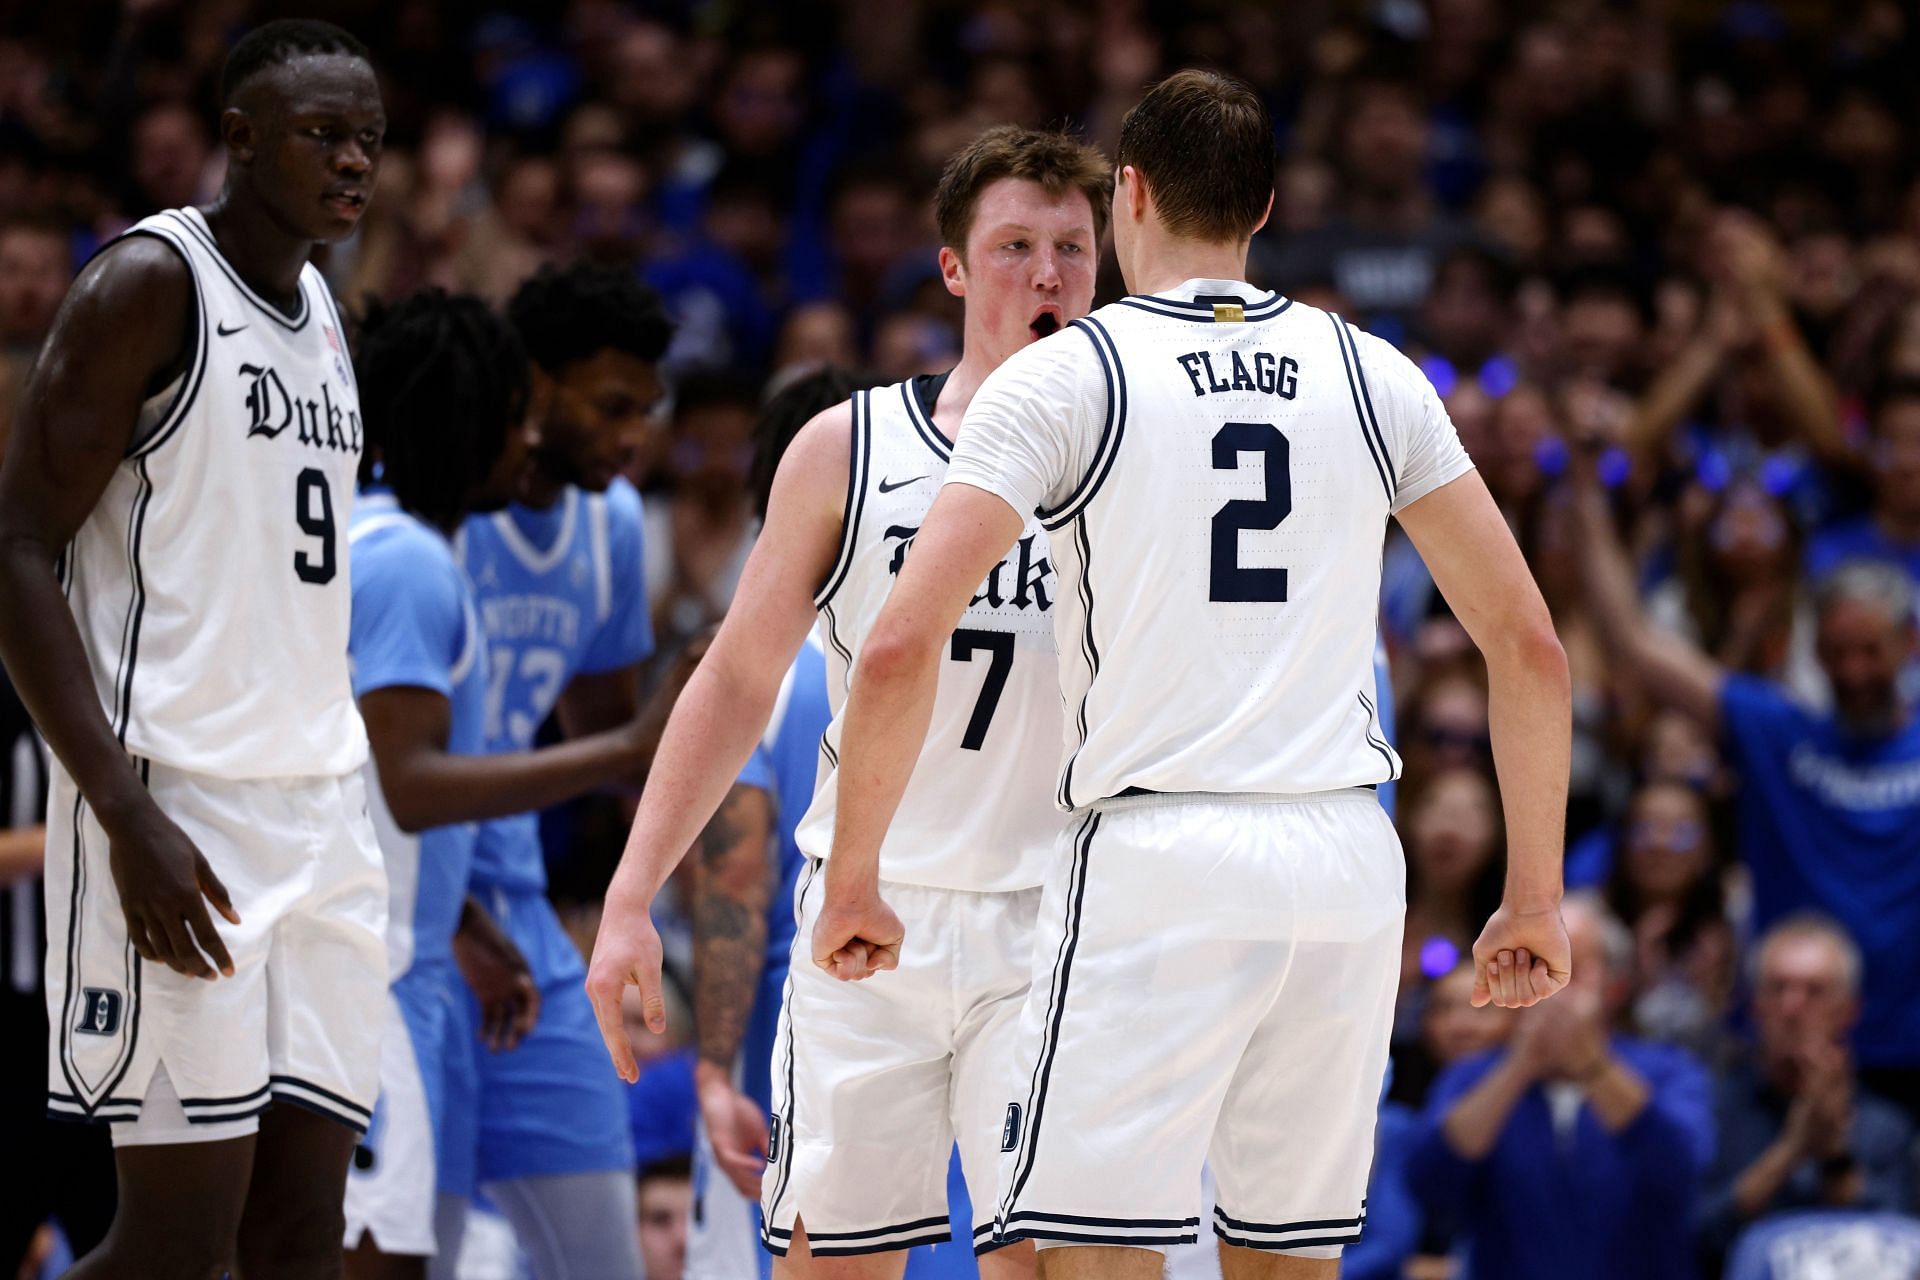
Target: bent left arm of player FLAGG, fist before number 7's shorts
[[890, 709]]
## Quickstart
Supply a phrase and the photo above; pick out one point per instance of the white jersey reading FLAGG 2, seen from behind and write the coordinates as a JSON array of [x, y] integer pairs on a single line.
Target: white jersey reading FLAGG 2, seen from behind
[[1216, 469]]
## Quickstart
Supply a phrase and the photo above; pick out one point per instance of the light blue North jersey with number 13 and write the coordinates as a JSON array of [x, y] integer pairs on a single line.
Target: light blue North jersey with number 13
[[562, 592]]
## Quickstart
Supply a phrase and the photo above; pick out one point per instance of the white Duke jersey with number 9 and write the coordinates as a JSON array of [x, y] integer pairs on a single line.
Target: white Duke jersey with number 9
[[210, 582]]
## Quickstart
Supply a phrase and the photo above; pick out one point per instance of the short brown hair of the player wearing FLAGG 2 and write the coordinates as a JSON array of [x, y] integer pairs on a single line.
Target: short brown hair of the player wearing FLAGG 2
[[1205, 145]]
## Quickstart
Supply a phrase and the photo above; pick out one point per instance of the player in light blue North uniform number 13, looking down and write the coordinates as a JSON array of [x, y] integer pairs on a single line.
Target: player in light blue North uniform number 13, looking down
[[564, 604]]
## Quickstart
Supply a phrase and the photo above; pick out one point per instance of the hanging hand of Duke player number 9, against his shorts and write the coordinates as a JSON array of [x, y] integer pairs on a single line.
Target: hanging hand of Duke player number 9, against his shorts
[[164, 888]]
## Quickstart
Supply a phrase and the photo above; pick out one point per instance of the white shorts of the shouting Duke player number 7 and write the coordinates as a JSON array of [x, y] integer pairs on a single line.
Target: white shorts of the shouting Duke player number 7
[[876, 1081]]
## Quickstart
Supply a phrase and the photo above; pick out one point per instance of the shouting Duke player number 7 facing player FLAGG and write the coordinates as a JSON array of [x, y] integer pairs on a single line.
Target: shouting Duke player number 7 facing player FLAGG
[[871, 1087]]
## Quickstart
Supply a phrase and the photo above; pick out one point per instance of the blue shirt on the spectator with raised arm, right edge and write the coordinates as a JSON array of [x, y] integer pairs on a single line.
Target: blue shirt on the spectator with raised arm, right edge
[[1831, 822]]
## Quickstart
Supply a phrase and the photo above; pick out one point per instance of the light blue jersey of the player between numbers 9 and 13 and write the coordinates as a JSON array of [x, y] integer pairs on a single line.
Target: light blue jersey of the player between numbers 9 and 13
[[416, 627]]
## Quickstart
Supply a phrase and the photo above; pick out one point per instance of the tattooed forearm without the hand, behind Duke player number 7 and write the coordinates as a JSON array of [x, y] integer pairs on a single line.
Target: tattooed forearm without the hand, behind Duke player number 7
[[734, 884]]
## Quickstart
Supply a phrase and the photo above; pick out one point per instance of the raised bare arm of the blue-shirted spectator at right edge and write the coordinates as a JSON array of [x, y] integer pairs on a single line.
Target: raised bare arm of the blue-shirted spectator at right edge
[[1673, 671]]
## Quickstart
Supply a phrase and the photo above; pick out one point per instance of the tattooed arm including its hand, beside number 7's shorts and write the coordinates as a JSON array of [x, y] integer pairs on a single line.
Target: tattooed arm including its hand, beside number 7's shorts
[[732, 889]]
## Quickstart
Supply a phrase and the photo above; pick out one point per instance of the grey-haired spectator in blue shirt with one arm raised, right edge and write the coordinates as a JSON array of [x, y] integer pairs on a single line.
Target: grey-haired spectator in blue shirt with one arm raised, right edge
[[1829, 811]]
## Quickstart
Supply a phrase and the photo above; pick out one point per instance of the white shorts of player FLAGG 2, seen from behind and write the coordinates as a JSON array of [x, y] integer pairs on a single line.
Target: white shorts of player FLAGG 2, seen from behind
[[1214, 984]]
